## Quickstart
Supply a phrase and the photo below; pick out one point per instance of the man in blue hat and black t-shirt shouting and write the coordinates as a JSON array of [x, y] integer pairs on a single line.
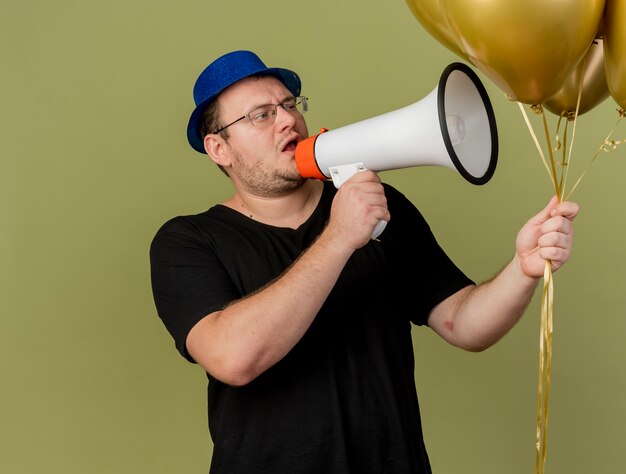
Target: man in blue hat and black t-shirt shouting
[[301, 320]]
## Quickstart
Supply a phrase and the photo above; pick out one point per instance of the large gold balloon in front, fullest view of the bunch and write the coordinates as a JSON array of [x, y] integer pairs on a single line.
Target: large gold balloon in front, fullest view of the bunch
[[527, 48]]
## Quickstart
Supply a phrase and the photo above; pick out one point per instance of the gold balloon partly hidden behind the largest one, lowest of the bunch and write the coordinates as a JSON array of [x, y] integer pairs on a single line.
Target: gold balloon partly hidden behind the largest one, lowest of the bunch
[[590, 76]]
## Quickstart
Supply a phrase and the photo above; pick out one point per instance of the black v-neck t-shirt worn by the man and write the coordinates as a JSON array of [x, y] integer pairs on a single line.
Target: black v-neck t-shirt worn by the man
[[343, 400]]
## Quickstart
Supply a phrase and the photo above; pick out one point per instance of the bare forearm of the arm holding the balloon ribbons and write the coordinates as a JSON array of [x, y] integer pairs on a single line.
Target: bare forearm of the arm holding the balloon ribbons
[[478, 316]]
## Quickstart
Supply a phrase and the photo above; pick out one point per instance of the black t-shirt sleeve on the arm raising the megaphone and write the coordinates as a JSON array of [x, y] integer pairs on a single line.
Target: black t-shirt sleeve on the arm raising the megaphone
[[188, 279]]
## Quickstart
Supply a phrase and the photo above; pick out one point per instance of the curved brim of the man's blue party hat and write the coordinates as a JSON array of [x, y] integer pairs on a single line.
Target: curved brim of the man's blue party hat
[[289, 78]]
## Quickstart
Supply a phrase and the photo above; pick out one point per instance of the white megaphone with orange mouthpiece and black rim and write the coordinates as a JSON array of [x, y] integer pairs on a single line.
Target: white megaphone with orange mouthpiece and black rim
[[453, 126]]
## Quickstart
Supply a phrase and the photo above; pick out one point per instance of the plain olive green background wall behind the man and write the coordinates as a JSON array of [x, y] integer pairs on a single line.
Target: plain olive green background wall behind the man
[[94, 102]]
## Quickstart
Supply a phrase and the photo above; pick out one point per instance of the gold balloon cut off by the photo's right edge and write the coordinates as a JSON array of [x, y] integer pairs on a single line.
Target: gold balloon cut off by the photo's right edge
[[615, 49]]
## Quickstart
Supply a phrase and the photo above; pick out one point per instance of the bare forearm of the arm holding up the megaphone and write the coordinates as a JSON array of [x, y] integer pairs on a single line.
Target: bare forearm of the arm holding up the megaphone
[[249, 336]]
